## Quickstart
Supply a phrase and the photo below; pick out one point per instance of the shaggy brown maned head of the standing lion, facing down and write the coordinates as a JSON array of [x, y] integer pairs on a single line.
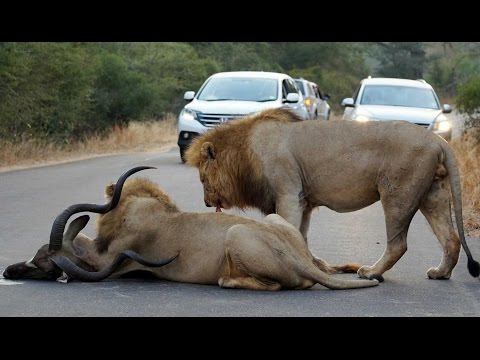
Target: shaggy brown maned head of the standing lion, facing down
[[230, 172]]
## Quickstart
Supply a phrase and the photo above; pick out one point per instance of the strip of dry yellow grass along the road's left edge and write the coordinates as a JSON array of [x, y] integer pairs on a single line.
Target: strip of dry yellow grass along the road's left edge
[[137, 136]]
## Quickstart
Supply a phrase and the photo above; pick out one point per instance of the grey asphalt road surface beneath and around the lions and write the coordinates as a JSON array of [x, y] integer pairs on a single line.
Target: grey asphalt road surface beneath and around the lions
[[32, 198]]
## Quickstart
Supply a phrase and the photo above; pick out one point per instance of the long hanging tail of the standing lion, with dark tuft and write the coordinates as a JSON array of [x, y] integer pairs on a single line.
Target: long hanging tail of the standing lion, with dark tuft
[[454, 174]]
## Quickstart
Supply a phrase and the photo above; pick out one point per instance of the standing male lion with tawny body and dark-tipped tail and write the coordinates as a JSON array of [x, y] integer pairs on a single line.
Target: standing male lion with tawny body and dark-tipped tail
[[276, 162]]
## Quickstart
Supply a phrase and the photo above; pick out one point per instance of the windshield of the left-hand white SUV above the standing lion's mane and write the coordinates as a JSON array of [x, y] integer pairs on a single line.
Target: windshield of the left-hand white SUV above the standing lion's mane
[[240, 89]]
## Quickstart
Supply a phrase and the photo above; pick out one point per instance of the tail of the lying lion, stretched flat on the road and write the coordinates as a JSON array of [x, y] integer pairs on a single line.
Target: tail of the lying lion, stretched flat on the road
[[312, 272]]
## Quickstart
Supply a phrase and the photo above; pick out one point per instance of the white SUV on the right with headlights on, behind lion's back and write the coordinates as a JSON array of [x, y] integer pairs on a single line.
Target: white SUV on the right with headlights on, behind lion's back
[[415, 101]]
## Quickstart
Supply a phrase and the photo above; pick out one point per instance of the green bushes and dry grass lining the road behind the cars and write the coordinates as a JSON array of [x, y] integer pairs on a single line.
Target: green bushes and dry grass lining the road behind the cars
[[59, 101]]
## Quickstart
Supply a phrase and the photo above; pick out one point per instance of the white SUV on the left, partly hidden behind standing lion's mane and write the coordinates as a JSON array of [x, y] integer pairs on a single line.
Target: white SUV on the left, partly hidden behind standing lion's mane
[[229, 95]]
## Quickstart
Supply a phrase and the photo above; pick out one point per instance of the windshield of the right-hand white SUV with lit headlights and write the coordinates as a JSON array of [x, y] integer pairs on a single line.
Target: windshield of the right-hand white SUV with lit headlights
[[399, 96]]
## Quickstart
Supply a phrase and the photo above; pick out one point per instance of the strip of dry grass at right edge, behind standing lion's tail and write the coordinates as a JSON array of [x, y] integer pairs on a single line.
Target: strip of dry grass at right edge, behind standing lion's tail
[[467, 151]]
